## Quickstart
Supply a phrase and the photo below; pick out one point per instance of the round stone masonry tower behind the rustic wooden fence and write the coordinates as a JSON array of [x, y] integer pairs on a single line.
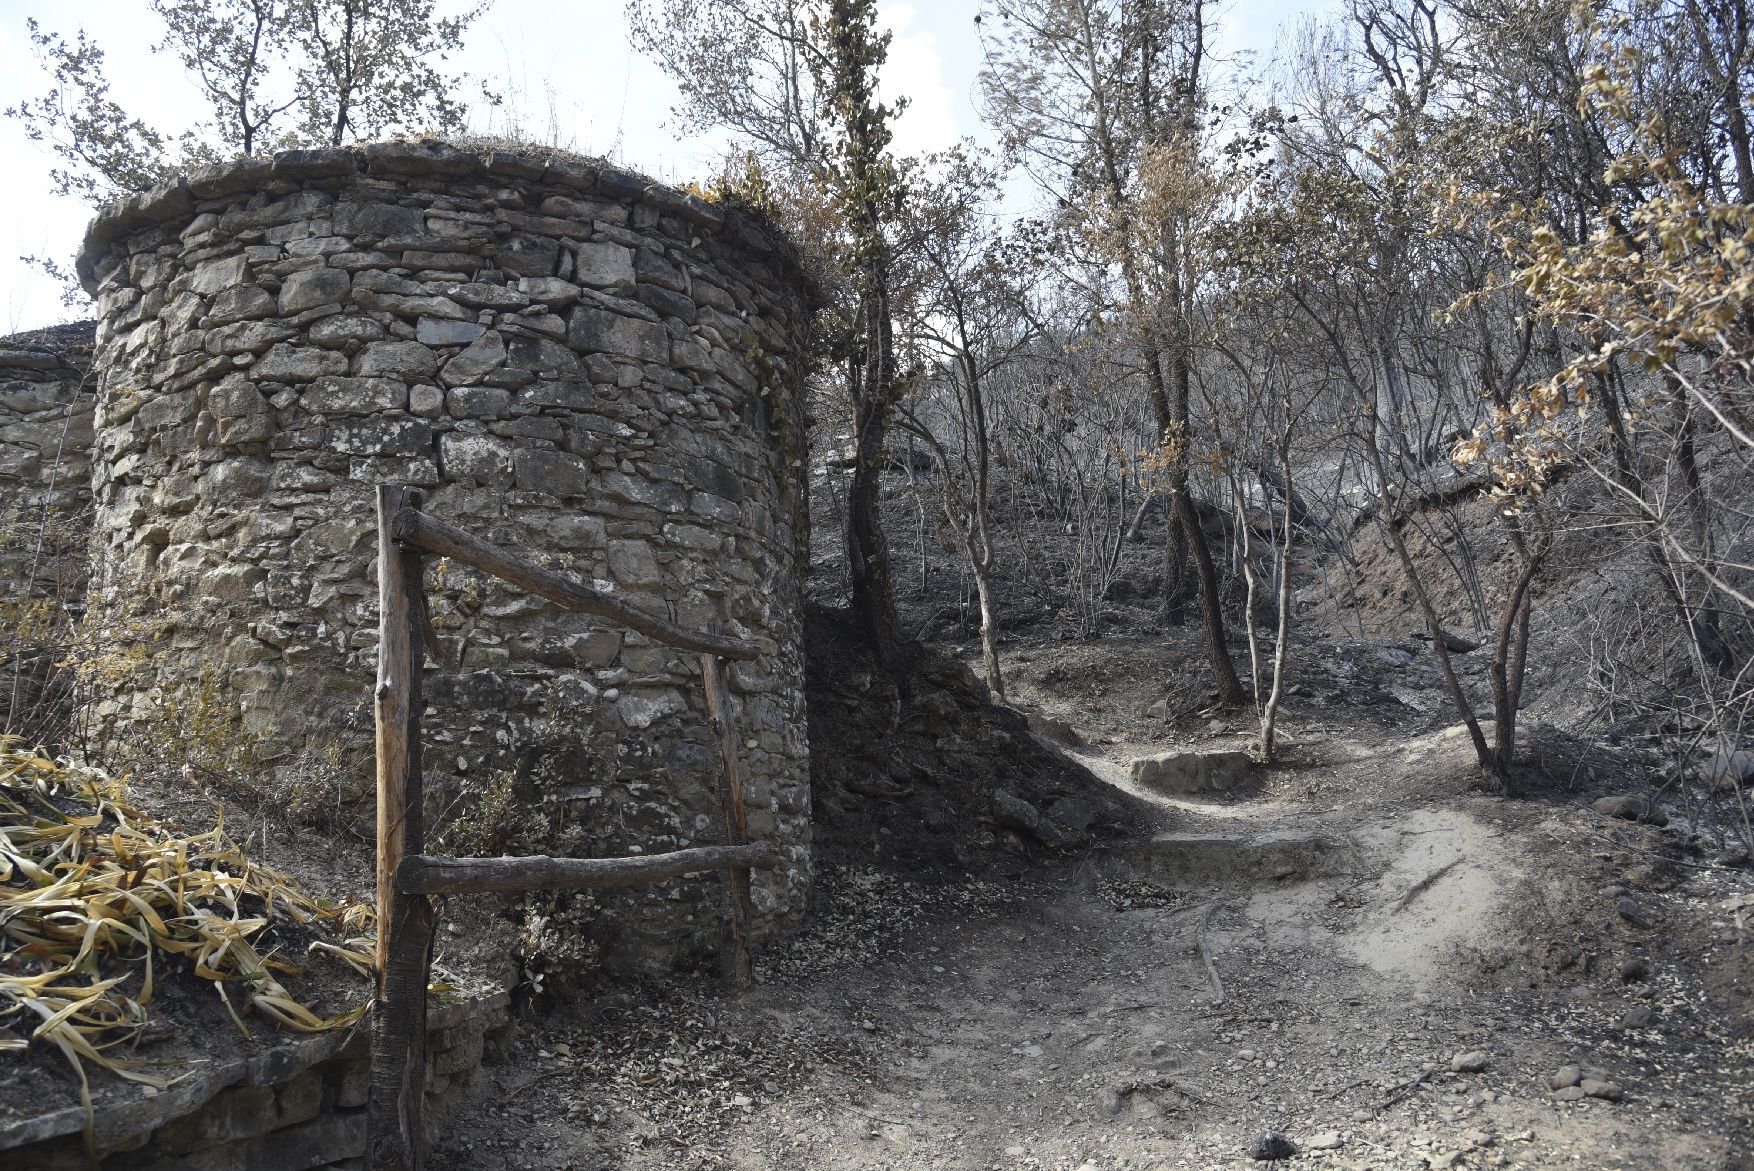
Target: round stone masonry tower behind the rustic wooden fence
[[574, 364]]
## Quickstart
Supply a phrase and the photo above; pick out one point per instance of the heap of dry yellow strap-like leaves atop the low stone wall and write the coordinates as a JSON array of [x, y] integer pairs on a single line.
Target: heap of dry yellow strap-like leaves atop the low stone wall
[[101, 904]]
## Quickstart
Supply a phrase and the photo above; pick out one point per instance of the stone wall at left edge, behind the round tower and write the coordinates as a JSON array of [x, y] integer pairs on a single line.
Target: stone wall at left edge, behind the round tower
[[46, 404]]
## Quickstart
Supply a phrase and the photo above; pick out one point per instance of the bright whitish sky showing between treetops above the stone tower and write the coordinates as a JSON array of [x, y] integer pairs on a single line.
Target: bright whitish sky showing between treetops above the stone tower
[[569, 66]]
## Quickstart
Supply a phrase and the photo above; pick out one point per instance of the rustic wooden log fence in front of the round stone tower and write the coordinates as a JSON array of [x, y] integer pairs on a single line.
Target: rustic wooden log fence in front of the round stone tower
[[408, 879]]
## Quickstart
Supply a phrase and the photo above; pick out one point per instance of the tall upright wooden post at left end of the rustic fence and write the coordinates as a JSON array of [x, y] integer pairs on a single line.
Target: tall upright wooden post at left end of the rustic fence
[[404, 921]]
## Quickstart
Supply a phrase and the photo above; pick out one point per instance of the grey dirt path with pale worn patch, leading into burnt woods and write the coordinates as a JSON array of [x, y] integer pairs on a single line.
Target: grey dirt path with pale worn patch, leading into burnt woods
[[1360, 977]]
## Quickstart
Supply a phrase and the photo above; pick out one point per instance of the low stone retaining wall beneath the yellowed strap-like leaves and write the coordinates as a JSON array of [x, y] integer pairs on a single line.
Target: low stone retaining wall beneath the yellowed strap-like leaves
[[290, 1107]]
